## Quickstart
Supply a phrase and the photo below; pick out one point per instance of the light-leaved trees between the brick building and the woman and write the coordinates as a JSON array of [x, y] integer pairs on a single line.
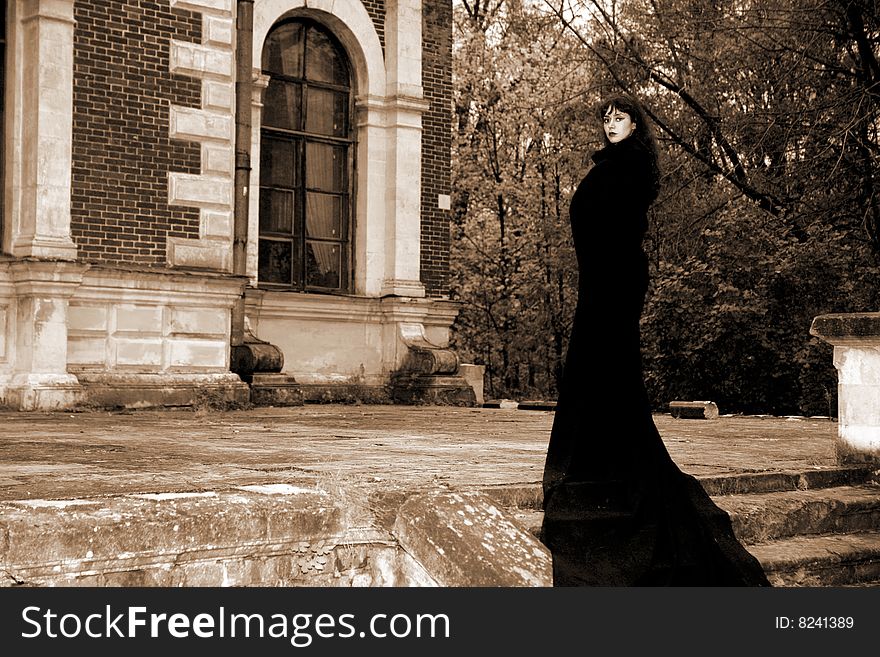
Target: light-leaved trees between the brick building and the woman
[[517, 157]]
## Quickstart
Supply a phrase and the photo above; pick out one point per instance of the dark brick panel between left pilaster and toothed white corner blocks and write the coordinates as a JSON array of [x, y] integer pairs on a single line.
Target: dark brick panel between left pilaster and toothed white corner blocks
[[121, 149]]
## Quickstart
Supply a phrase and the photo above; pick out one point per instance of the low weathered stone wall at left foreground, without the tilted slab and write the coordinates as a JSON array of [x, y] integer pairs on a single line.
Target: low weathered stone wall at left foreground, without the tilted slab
[[270, 535]]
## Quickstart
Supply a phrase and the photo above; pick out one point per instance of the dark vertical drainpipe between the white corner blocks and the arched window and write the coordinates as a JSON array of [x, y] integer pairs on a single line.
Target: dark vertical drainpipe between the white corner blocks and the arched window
[[244, 28]]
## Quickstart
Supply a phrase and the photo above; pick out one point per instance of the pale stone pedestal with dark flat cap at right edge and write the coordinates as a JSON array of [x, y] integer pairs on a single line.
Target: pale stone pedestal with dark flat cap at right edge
[[856, 341]]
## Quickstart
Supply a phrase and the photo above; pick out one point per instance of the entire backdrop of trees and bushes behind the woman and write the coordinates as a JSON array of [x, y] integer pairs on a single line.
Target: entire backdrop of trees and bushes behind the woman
[[768, 117]]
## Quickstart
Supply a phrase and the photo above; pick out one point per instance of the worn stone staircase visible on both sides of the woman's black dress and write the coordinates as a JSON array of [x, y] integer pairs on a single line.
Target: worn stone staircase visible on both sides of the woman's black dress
[[814, 528]]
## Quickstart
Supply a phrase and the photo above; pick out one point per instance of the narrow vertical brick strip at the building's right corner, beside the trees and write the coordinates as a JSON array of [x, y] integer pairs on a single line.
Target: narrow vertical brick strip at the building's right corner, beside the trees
[[436, 143]]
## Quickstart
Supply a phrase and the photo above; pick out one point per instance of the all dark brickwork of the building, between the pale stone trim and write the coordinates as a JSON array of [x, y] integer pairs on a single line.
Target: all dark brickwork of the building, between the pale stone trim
[[122, 153]]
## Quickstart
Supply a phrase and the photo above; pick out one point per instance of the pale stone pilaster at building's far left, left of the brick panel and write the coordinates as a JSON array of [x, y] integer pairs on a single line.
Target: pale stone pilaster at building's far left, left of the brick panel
[[44, 43]]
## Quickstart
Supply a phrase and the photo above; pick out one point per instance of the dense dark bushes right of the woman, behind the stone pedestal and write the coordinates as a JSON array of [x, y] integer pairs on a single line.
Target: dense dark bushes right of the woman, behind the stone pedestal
[[732, 325]]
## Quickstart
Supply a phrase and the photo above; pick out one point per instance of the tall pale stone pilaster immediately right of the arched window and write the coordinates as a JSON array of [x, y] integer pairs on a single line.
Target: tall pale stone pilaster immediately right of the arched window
[[404, 109]]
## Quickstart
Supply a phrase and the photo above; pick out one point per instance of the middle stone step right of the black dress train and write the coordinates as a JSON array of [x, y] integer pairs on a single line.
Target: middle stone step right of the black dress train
[[762, 517]]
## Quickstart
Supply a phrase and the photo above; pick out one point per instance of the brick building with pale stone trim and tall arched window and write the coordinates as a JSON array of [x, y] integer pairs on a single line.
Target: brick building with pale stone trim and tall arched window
[[207, 198]]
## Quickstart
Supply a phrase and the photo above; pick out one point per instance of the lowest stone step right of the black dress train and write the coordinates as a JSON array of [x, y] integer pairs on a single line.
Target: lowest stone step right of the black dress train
[[821, 560]]
